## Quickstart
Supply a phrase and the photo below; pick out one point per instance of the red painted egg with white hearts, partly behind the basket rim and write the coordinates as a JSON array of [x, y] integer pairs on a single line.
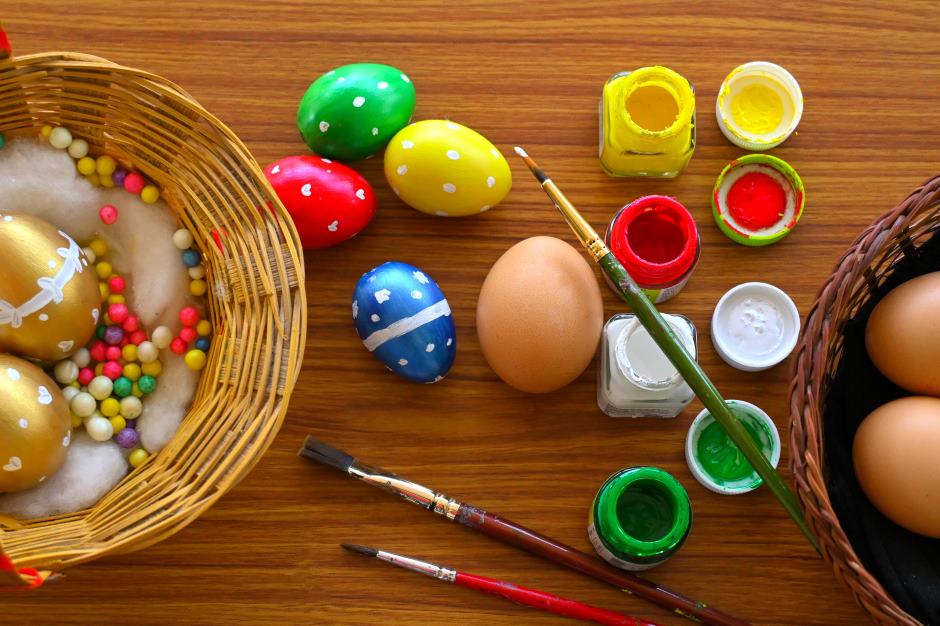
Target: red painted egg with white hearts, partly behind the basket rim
[[328, 201]]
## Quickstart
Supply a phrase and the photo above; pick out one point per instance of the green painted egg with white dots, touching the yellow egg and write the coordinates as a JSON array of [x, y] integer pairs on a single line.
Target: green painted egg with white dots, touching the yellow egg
[[352, 111]]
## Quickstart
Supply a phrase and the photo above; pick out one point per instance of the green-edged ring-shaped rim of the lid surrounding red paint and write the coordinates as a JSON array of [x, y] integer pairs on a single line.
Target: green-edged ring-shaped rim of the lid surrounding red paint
[[779, 170]]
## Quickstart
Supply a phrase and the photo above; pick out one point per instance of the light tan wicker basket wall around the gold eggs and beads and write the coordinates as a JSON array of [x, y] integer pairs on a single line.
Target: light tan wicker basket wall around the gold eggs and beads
[[257, 305]]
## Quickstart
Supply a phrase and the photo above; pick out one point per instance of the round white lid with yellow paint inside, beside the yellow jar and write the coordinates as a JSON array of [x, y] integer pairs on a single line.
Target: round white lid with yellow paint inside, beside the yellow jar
[[759, 105]]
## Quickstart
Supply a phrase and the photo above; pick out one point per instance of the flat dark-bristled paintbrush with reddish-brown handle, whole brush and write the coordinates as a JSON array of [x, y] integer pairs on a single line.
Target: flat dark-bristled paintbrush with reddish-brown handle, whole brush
[[515, 534]]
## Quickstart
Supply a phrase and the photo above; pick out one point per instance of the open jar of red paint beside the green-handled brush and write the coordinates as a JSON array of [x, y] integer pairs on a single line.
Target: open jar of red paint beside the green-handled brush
[[656, 240]]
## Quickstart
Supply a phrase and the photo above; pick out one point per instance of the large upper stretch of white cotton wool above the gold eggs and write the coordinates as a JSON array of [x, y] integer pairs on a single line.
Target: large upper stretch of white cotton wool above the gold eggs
[[38, 179]]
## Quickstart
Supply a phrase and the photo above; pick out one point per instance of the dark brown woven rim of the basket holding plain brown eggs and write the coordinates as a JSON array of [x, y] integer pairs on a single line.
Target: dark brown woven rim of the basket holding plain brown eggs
[[859, 272]]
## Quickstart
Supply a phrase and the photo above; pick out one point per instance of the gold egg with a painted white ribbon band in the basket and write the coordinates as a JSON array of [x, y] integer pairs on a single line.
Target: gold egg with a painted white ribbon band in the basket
[[49, 297]]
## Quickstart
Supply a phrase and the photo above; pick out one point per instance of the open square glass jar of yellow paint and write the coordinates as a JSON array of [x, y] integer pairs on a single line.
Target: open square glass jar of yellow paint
[[647, 123]]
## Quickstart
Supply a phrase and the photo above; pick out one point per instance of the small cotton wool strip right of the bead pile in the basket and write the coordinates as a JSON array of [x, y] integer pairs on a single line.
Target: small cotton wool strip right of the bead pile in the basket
[[166, 407]]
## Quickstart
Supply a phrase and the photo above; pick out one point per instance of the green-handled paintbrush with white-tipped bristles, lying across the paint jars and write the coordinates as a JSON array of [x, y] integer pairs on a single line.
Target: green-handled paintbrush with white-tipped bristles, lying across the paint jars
[[666, 339]]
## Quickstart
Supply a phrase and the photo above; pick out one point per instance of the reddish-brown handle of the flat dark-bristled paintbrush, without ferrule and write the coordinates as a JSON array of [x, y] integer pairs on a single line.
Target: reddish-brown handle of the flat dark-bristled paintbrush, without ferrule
[[531, 541]]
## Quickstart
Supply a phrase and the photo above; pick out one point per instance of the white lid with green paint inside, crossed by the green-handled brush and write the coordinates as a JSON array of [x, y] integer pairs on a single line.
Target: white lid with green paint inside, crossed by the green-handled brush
[[714, 459]]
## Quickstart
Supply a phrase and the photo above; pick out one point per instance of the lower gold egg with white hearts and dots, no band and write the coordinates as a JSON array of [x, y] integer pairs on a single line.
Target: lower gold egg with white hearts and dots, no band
[[35, 425]]
